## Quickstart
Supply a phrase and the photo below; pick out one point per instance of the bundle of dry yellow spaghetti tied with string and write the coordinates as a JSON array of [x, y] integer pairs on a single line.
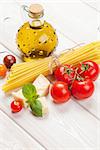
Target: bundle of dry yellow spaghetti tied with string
[[27, 71]]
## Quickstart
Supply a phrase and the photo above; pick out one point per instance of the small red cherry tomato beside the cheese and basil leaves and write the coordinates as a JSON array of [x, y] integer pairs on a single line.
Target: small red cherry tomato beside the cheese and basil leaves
[[16, 106]]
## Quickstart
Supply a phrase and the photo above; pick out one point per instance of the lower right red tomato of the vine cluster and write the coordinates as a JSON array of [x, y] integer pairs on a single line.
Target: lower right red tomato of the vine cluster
[[82, 89]]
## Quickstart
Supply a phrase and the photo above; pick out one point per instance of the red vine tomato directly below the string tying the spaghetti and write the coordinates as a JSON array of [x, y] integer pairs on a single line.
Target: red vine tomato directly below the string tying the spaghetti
[[65, 73]]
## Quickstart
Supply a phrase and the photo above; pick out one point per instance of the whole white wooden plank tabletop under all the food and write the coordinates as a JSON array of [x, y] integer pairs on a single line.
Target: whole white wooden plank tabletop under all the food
[[70, 126]]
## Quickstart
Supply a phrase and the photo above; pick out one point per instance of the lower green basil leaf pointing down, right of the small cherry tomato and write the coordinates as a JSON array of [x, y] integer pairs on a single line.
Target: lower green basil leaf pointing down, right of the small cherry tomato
[[36, 108]]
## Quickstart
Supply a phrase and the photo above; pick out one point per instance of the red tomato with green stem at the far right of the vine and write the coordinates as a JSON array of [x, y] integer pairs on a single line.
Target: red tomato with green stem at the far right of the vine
[[88, 69]]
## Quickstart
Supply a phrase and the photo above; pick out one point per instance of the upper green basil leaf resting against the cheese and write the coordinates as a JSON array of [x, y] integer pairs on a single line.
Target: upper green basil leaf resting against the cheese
[[29, 91]]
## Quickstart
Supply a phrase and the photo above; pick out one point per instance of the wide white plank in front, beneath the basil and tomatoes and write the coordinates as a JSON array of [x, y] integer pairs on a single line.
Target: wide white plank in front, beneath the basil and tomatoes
[[74, 124]]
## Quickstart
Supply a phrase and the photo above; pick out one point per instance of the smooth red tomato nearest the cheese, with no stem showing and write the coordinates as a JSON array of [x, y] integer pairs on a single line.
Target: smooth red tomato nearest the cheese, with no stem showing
[[60, 92]]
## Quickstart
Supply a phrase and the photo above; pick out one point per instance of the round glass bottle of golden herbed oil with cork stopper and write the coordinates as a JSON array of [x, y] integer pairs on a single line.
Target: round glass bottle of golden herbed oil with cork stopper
[[36, 38]]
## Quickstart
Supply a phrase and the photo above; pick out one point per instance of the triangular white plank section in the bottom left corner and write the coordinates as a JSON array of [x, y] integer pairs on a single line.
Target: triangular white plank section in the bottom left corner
[[14, 138]]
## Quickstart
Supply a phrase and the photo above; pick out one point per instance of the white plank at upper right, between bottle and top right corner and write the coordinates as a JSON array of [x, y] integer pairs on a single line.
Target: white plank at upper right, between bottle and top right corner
[[75, 22]]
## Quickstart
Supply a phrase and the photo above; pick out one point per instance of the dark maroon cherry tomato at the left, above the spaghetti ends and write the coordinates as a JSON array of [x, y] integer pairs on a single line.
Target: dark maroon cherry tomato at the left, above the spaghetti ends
[[9, 60]]
